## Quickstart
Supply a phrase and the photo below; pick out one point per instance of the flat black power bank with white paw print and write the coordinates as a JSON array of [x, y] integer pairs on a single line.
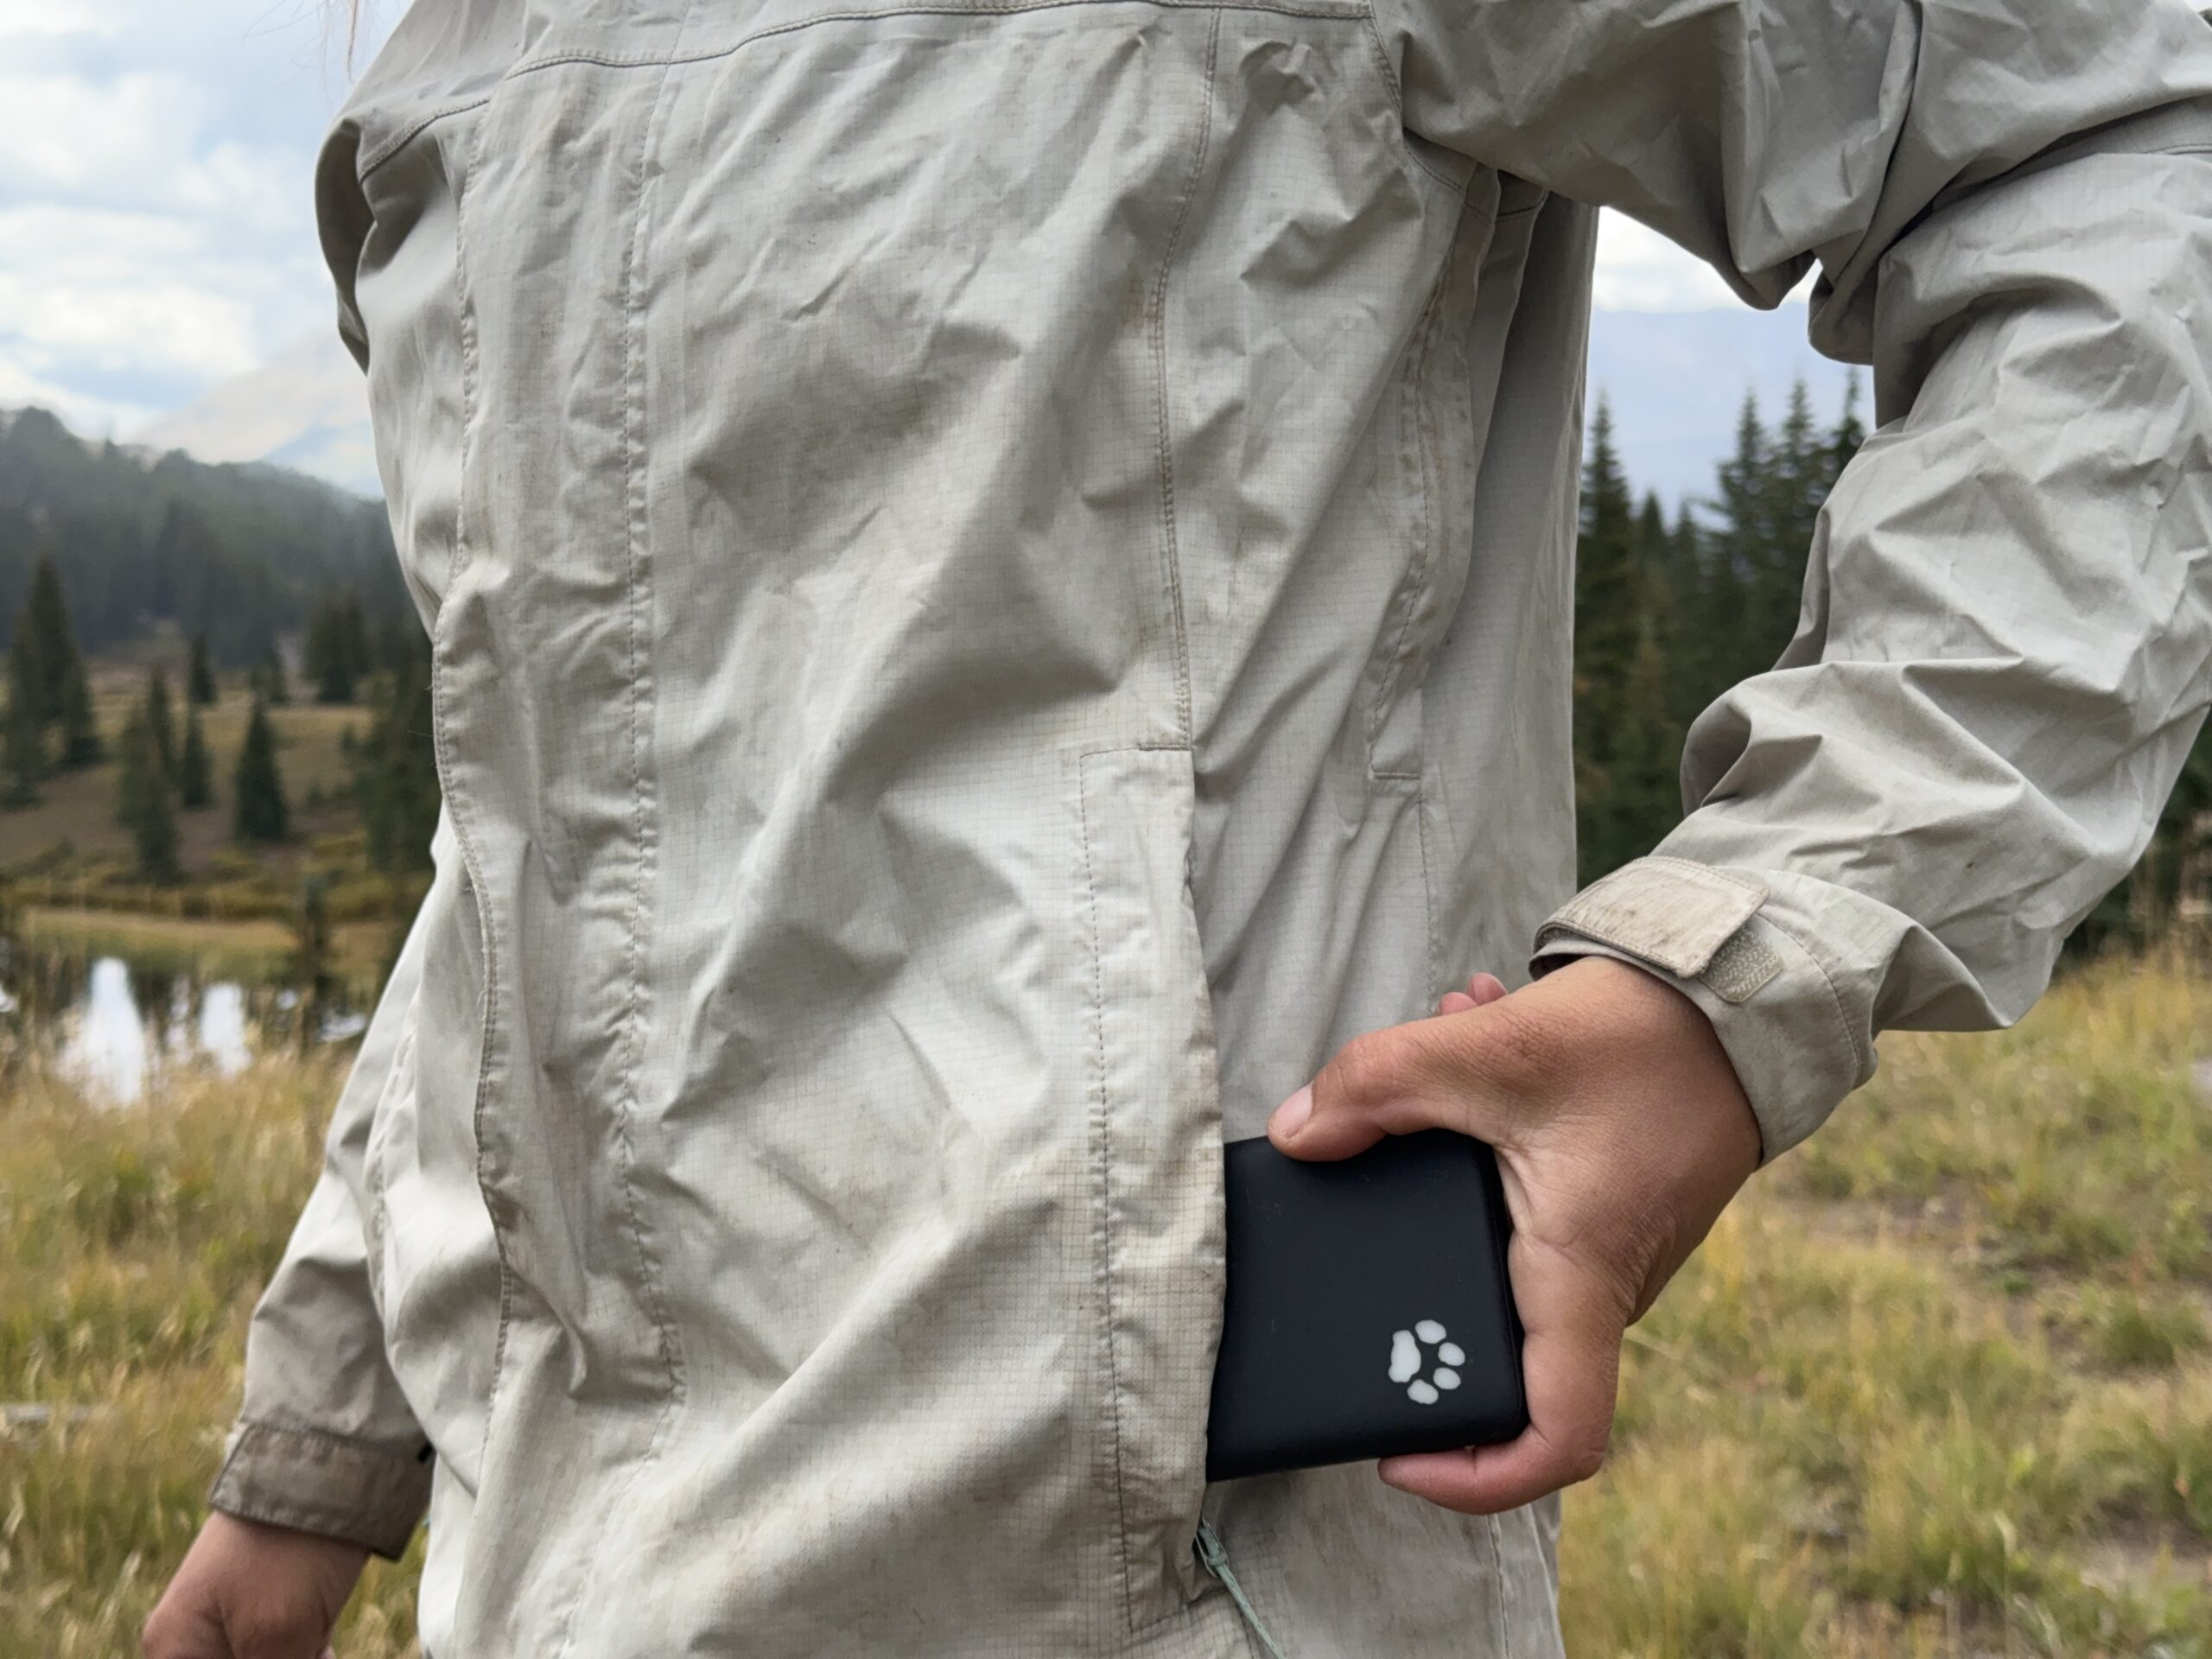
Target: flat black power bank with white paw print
[[1368, 1308]]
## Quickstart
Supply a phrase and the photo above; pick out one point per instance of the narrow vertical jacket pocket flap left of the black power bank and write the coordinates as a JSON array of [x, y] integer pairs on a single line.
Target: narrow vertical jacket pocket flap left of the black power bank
[[1156, 1167]]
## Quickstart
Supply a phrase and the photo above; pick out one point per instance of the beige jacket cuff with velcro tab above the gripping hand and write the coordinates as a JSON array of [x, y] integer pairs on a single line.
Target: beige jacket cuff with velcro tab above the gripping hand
[[1718, 939]]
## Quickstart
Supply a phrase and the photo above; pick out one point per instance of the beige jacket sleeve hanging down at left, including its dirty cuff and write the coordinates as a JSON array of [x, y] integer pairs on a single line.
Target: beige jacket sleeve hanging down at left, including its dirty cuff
[[326, 1441]]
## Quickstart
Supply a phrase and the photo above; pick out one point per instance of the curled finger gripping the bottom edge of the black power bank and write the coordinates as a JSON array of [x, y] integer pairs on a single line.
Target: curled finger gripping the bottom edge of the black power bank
[[1572, 1366]]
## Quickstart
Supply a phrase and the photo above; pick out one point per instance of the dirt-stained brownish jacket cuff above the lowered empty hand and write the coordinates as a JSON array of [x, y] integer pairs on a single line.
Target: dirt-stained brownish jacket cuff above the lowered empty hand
[[317, 1483]]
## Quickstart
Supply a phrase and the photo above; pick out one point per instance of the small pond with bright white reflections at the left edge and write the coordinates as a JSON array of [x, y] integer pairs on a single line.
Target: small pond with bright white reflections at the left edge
[[114, 1012]]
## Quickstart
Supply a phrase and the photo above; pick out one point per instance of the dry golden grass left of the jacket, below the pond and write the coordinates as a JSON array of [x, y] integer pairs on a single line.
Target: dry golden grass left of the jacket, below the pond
[[132, 1251]]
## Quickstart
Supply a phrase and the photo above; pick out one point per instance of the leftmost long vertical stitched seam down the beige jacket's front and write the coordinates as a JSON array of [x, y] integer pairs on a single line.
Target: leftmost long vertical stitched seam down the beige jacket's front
[[455, 795]]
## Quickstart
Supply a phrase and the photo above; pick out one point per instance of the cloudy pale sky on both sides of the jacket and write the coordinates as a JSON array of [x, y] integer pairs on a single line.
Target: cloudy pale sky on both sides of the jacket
[[156, 216]]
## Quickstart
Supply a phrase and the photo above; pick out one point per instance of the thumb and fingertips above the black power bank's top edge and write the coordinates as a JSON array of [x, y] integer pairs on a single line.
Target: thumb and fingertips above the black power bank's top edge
[[1448, 1072]]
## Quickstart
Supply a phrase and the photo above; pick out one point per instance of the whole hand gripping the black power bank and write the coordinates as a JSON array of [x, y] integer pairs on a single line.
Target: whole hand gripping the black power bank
[[1620, 1134]]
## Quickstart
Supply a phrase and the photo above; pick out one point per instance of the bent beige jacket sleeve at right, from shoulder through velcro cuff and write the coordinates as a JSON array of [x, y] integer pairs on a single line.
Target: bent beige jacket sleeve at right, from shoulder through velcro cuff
[[2007, 618]]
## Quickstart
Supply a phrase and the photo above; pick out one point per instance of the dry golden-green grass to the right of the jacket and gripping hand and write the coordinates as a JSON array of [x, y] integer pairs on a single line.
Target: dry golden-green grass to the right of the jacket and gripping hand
[[1939, 1384]]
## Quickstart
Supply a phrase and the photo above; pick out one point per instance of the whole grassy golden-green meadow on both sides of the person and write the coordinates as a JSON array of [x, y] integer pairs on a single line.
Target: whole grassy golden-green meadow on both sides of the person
[[1939, 1386]]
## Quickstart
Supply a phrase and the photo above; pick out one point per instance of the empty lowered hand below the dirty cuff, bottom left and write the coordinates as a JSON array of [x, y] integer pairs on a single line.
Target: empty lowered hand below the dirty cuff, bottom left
[[253, 1592]]
